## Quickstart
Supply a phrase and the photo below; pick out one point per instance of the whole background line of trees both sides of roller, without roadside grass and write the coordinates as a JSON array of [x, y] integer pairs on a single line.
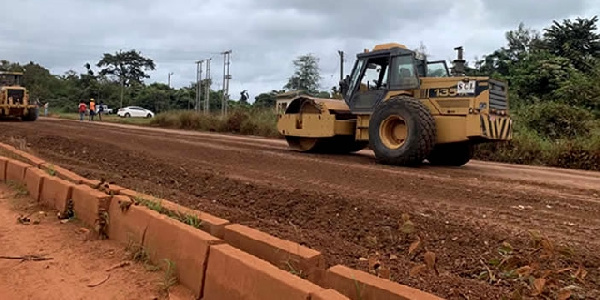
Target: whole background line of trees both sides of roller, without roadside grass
[[554, 79]]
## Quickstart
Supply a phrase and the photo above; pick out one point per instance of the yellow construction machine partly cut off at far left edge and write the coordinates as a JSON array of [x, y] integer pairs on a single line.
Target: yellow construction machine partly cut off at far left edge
[[14, 99]]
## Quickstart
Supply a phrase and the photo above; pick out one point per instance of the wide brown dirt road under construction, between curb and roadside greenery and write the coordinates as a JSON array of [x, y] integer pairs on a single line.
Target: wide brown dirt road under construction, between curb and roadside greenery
[[350, 208]]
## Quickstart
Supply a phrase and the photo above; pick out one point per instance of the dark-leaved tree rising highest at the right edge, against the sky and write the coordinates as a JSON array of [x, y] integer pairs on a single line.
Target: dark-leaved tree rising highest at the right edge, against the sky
[[577, 41]]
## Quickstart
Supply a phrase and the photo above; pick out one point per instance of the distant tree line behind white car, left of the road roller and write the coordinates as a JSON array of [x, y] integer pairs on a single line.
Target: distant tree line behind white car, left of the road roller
[[119, 82]]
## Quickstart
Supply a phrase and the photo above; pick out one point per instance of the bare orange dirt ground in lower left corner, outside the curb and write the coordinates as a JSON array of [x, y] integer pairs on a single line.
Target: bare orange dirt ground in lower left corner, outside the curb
[[76, 267]]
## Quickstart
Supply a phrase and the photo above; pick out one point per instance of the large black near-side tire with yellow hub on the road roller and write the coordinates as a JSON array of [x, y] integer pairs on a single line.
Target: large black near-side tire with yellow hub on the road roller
[[402, 131]]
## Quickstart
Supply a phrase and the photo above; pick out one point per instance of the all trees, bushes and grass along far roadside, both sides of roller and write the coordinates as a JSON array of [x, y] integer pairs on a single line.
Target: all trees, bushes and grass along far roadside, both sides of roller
[[553, 76]]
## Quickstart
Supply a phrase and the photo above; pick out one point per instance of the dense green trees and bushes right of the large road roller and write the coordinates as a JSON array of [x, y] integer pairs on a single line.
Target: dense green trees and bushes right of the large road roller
[[554, 80]]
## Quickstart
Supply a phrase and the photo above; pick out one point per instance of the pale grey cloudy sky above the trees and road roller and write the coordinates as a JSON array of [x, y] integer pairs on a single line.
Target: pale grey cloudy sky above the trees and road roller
[[265, 35]]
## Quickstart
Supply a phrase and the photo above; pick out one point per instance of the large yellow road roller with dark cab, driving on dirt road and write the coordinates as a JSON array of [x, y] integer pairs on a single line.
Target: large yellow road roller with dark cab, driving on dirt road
[[403, 107]]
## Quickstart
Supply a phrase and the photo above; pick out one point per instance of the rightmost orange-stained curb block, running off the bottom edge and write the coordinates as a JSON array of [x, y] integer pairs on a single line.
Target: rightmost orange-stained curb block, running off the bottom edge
[[345, 280]]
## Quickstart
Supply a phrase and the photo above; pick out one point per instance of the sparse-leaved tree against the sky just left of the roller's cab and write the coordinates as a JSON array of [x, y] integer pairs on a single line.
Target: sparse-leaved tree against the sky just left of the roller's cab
[[307, 75]]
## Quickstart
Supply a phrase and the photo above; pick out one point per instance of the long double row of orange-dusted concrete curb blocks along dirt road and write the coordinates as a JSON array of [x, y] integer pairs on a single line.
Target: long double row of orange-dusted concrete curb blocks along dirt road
[[220, 261]]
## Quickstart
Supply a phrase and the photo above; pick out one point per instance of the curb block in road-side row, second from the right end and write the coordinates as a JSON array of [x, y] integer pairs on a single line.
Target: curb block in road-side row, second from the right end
[[284, 254]]
